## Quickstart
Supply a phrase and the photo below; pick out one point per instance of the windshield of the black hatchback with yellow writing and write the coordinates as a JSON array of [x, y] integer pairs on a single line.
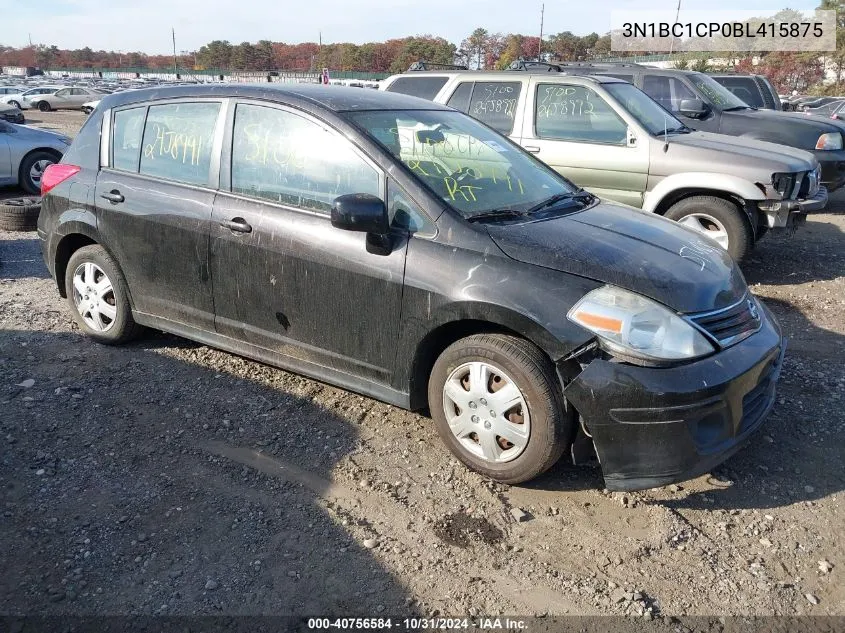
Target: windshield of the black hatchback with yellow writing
[[465, 163]]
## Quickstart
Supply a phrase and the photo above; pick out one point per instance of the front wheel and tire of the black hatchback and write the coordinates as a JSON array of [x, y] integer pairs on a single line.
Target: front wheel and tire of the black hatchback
[[541, 436]]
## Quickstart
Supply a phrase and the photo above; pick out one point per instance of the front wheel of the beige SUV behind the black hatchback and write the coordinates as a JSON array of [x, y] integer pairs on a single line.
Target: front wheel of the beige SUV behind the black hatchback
[[719, 217]]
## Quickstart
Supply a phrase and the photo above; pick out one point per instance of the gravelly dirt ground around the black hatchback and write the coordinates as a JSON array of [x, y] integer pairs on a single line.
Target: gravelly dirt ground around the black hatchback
[[165, 477]]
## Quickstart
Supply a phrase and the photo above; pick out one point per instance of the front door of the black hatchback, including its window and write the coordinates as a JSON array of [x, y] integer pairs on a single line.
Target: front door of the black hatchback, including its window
[[284, 278]]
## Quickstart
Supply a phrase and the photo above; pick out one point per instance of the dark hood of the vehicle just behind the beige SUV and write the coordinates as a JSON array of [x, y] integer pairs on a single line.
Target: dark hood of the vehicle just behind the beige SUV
[[789, 128]]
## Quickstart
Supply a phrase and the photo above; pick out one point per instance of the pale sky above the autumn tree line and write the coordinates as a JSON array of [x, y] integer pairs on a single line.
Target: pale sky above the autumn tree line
[[144, 25]]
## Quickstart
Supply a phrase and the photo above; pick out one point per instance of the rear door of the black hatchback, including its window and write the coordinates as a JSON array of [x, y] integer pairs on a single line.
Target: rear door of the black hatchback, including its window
[[154, 198]]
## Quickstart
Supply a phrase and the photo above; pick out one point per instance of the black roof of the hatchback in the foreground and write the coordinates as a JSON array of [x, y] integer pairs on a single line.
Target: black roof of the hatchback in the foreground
[[335, 98]]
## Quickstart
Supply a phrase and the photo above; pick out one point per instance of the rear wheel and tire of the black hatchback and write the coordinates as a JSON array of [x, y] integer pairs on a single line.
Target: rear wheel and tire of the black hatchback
[[116, 324]]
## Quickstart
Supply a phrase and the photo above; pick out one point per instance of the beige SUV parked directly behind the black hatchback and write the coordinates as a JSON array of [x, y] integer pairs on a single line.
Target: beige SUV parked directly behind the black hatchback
[[606, 135]]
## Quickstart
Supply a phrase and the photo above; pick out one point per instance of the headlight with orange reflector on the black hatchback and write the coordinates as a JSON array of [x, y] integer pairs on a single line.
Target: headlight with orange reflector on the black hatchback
[[633, 325]]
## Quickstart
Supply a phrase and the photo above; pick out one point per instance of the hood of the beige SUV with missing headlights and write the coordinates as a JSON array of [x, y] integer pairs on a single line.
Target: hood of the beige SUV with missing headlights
[[754, 160]]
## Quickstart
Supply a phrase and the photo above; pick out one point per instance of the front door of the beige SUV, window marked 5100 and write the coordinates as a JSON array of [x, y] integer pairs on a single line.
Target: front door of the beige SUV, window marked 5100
[[578, 133]]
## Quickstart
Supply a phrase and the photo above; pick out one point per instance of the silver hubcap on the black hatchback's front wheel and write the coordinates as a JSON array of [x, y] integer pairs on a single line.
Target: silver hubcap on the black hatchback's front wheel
[[486, 412]]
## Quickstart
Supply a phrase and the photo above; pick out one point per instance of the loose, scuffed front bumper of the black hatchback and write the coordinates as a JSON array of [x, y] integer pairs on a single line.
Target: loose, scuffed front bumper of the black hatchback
[[654, 426]]
